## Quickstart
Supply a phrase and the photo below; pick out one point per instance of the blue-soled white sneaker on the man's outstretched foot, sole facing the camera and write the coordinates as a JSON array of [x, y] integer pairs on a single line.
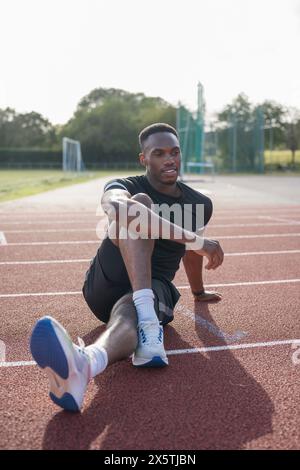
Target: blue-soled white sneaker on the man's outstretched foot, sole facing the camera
[[66, 364]]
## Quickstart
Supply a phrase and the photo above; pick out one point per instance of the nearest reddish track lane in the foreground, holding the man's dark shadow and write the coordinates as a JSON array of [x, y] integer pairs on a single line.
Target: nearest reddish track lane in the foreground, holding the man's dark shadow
[[223, 400]]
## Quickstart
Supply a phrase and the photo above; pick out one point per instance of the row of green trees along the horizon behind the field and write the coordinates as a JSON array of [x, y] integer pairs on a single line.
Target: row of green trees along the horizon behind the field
[[107, 122]]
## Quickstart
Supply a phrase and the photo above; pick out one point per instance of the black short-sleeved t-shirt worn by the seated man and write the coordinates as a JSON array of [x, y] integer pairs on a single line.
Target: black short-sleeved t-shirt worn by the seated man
[[167, 253]]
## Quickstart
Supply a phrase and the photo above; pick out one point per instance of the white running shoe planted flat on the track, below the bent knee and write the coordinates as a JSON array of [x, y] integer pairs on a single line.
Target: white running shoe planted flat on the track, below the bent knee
[[150, 351]]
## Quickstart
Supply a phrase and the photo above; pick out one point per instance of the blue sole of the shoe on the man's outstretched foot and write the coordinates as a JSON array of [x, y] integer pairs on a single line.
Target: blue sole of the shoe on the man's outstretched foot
[[49, 355]]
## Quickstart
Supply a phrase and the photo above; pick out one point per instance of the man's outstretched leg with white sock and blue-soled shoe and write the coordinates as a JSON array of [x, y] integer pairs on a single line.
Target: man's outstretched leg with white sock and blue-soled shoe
[[70, 367]]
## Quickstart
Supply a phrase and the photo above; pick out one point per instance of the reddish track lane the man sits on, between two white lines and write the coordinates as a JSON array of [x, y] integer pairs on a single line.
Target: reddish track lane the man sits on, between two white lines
[[260, 313]]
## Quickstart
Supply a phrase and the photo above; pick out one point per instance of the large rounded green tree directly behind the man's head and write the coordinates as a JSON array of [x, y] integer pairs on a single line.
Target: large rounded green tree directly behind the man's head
[[107, 123]]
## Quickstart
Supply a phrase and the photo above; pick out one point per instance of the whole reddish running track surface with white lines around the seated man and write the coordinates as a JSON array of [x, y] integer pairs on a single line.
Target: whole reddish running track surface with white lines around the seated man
[[233, 380]]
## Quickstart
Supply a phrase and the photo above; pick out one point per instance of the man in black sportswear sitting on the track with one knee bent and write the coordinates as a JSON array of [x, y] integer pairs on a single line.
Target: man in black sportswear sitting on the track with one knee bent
[[129, 283]]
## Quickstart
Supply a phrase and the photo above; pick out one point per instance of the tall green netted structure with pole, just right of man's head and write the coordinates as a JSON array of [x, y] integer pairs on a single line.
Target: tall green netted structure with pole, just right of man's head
[[190, 128]]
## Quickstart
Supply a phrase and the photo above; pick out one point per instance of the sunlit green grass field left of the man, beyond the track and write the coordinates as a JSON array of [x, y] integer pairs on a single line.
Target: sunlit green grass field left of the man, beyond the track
[[15, 184]]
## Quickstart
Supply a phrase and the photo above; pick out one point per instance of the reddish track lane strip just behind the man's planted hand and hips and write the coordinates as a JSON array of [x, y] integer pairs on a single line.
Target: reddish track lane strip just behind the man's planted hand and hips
[[68, 277]]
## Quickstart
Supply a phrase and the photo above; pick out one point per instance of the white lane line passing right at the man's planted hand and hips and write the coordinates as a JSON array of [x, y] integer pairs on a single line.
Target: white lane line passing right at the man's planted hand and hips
[[232, 284]]
